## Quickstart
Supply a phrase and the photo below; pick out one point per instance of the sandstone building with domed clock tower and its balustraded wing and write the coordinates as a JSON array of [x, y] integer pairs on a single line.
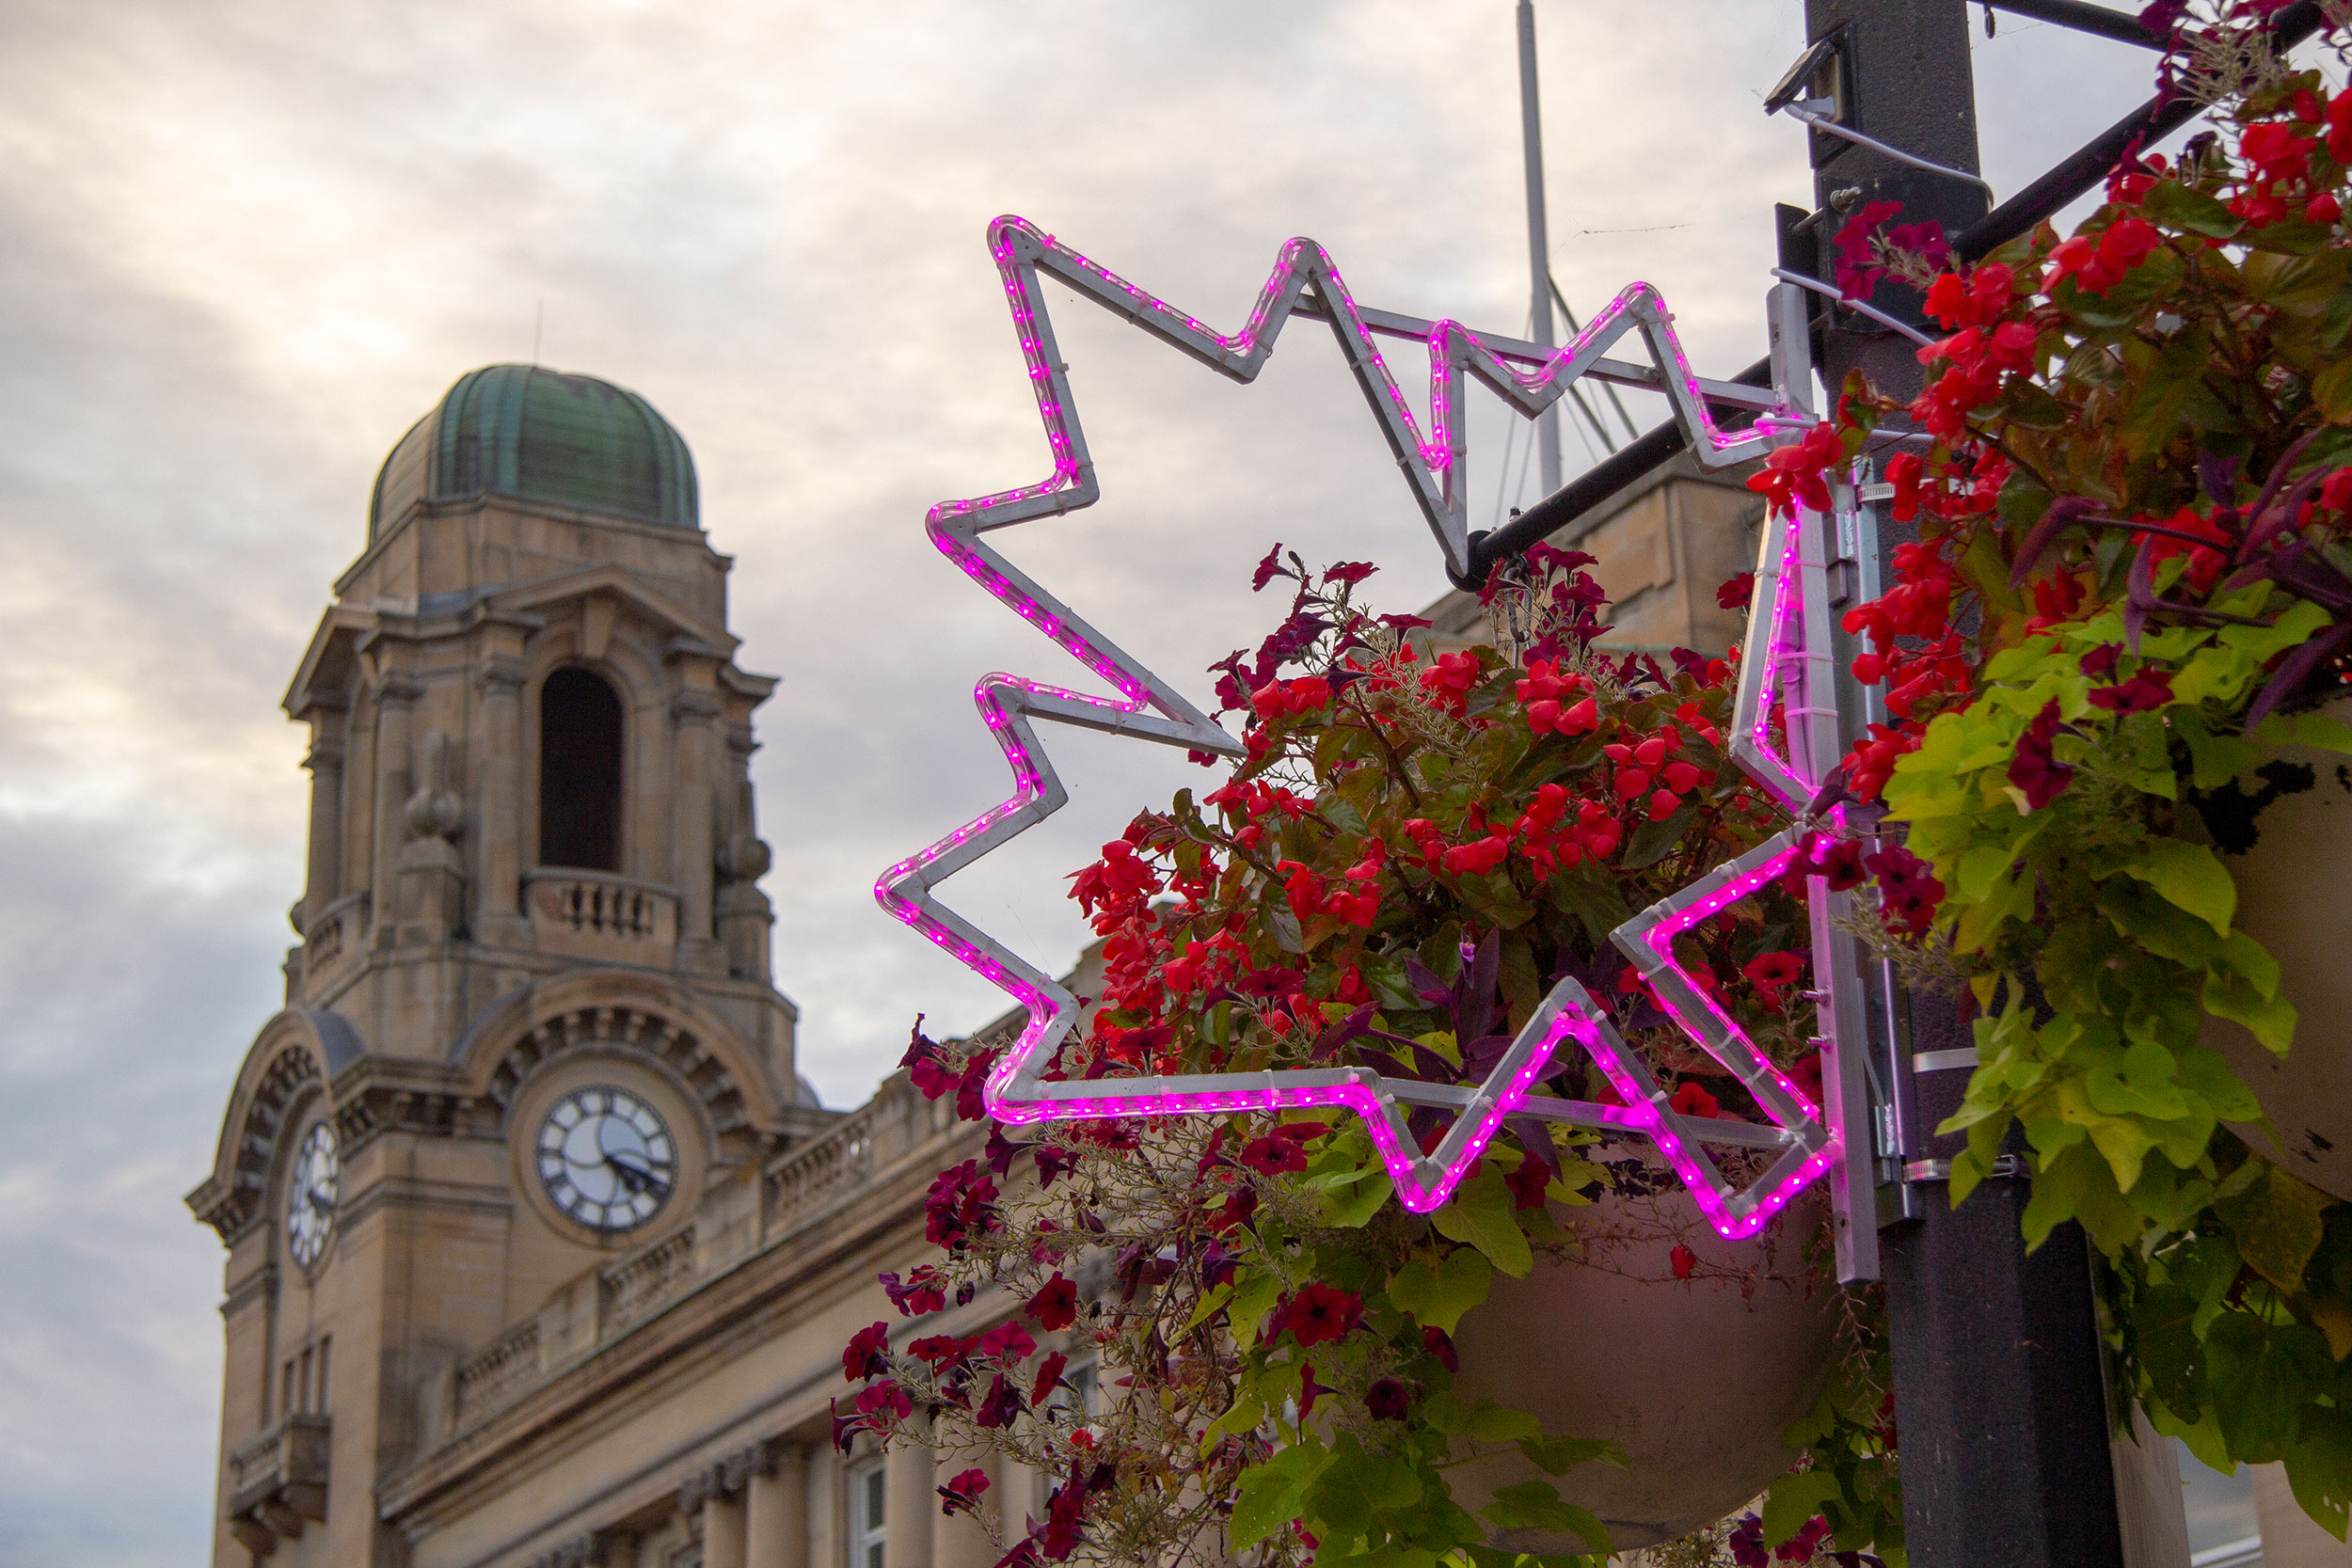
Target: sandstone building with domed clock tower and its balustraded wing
[[540, 1249]]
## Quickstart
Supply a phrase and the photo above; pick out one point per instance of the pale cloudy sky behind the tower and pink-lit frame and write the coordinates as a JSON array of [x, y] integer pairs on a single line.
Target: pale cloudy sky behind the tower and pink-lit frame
[[246, 243]]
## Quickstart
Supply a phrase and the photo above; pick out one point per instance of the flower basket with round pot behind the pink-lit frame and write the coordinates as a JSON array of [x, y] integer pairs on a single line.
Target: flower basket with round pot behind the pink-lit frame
[[1561, 1358]]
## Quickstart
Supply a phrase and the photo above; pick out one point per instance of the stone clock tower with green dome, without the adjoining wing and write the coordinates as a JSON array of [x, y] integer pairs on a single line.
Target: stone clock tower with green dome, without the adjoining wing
[[530, 1021]]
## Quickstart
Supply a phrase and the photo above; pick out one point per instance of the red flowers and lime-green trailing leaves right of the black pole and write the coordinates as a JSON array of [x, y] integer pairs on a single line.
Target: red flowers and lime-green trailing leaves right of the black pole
[[2132, 589]]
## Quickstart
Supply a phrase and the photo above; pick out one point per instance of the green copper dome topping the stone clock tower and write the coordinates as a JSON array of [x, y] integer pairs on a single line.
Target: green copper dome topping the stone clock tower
[[542, 436]]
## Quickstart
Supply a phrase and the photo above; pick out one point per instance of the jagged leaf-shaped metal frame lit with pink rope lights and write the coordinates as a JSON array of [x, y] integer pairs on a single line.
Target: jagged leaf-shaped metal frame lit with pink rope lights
[[1530, 377]]
